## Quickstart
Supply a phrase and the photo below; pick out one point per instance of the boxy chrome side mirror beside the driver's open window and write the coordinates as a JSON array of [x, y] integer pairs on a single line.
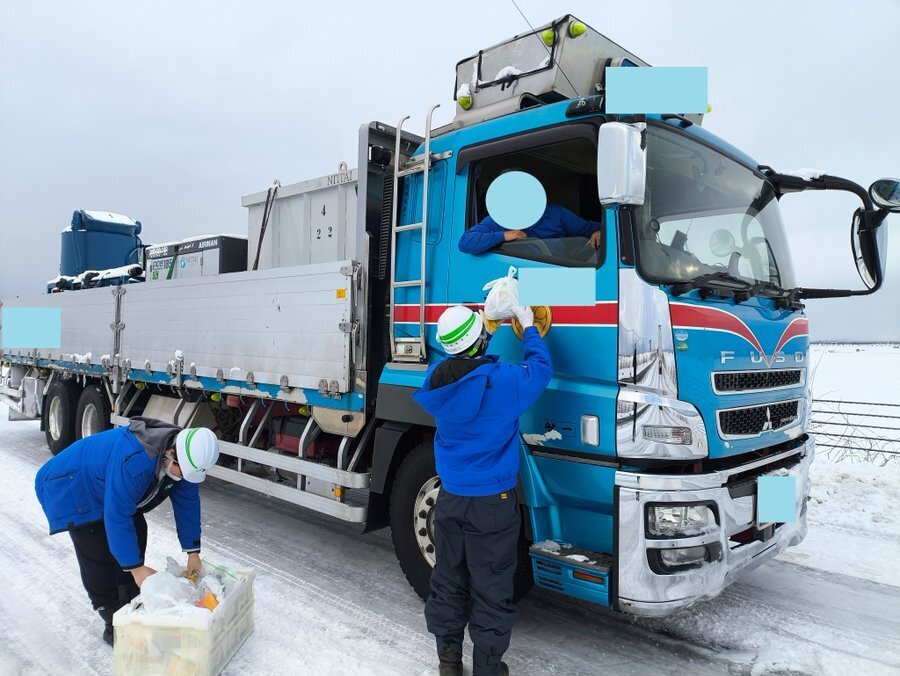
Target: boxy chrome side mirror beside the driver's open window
[[622, 163]]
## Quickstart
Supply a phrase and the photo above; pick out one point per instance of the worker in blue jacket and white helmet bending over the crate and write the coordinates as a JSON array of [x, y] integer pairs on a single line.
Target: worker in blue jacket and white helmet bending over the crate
[[99, 488]]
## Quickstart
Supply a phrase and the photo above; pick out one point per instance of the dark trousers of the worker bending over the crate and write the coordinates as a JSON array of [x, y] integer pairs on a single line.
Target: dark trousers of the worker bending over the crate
[[107, 585]]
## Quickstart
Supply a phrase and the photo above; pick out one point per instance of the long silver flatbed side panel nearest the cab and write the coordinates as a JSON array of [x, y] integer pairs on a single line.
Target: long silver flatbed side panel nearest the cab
[[271, 323]]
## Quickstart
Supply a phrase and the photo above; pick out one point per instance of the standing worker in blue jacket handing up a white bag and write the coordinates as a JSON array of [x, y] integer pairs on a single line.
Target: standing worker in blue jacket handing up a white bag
[[476, 401]]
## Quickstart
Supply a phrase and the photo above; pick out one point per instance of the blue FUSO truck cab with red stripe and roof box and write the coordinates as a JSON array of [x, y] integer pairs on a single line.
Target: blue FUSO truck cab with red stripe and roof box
[[679, 385]]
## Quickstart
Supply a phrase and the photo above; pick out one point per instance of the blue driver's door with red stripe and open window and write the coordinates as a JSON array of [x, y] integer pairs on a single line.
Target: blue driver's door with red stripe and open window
[[582, 339]]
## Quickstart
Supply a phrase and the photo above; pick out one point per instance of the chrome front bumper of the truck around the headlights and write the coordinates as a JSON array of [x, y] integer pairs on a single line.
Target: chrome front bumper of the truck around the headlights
[[641, 591]]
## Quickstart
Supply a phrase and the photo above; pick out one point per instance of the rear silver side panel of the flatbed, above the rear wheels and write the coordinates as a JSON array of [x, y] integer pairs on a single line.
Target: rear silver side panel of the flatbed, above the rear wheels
[[86, 318]]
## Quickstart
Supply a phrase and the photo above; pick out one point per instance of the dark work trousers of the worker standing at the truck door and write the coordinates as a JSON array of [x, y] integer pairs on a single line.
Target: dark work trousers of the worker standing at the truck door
[[476, 546]]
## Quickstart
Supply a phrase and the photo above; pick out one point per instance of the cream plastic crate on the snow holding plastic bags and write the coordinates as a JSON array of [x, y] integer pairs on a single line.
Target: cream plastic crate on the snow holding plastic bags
[[153, 643]]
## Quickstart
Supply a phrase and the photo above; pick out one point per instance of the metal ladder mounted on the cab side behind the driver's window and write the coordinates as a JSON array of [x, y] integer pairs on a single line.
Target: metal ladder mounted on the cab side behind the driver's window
[[410, 349]]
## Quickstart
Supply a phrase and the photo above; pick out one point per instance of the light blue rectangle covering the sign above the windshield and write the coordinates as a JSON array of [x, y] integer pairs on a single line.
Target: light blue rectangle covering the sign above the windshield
[[656, 90]]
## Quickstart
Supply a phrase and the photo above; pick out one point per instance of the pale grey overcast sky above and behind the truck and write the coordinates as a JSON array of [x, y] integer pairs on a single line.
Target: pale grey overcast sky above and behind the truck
[[169, 112]]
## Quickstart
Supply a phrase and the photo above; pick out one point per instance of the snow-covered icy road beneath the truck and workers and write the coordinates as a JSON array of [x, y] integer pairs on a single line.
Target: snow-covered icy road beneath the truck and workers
[[331, 601]]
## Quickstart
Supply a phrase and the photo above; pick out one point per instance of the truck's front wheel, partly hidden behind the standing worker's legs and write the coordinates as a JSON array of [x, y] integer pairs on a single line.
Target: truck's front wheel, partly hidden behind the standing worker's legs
[[415, 486]]
